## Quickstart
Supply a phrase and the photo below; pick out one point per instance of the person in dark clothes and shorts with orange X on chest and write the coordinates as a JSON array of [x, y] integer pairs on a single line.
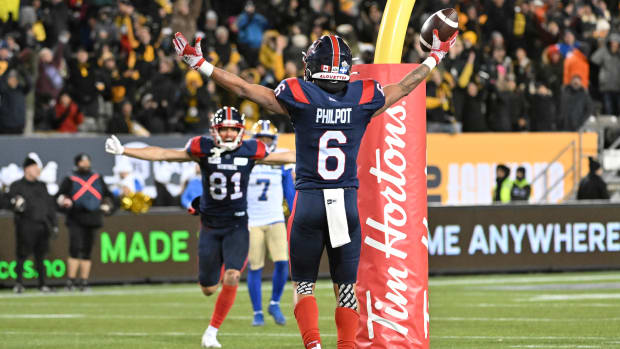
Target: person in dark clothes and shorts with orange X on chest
[[85, 198]]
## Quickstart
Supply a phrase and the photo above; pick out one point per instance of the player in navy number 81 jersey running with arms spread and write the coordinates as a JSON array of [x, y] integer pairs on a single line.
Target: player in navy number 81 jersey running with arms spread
[[225, 162]]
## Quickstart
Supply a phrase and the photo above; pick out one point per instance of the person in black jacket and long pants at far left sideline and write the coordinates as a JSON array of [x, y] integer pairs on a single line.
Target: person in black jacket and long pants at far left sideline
[[35, 220]]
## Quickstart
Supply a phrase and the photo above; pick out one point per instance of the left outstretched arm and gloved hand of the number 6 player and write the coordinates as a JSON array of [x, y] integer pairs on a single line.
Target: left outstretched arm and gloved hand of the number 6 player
[[258, 94]]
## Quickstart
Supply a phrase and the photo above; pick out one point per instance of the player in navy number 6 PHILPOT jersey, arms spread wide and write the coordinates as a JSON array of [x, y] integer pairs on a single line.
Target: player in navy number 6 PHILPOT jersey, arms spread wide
[[330, 115]]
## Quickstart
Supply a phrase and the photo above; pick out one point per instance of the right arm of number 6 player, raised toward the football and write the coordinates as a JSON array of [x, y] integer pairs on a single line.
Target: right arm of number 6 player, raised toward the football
[[394, 92]]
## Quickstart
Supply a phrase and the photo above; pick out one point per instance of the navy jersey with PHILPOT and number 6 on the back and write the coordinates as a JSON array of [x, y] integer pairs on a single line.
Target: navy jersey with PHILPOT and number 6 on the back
[[328, 129]]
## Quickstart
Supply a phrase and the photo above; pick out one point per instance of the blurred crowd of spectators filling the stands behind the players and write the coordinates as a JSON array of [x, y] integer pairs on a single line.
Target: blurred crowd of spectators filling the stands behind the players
[[109, 66]]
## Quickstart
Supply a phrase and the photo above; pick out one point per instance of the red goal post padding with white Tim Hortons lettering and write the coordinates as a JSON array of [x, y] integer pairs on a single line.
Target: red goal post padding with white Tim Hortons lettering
[[393, 273]]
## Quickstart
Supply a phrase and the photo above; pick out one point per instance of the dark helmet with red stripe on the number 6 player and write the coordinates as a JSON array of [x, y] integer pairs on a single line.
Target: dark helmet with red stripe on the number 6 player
[[328, 58]]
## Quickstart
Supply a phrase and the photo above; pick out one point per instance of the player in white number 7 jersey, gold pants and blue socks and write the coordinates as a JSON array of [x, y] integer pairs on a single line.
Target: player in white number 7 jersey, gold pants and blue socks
[[269, 185]]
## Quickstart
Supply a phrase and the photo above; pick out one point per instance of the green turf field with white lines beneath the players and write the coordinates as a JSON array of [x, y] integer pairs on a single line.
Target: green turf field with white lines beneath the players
[[567, 310]]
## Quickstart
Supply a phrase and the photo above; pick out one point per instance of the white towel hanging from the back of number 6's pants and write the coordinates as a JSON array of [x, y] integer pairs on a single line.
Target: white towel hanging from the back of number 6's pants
[[336, 217]]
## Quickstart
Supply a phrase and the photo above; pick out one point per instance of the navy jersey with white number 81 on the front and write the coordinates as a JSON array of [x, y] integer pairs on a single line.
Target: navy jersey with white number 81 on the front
[[225, 177]]
